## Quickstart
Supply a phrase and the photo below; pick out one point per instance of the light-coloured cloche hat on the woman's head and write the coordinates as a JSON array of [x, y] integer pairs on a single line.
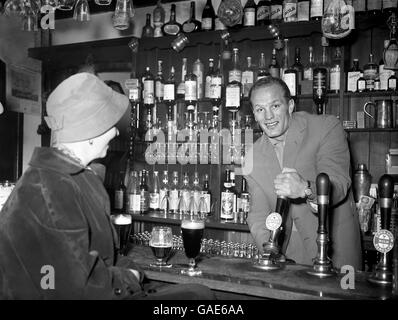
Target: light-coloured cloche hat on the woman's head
[[83, 107]]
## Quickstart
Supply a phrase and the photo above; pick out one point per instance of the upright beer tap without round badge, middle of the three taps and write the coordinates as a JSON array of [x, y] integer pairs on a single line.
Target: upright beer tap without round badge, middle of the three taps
[[322, 265]]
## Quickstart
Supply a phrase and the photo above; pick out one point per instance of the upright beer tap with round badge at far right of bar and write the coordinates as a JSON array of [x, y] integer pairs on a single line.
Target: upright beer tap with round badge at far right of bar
[[383, 240]]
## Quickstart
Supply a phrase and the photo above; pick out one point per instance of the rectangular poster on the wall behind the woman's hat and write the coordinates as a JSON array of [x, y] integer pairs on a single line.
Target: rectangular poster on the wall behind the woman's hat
[[23, 90]]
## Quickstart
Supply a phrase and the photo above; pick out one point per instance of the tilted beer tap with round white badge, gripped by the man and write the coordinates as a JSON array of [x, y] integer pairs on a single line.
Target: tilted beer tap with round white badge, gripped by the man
[[272, 257]]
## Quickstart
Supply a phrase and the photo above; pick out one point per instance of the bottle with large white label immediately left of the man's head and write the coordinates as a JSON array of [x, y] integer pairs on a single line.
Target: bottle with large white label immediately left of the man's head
[[233, 91]]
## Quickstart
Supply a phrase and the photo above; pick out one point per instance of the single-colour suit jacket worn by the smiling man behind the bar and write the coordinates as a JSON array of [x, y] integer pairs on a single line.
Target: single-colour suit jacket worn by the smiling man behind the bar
[[314, 144]]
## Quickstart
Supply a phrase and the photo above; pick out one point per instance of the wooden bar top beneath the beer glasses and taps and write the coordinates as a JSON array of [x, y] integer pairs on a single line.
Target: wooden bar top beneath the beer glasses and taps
[[239, 276]]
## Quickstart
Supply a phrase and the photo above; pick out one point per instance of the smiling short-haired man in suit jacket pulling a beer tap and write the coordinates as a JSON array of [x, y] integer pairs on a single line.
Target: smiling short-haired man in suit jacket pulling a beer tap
[[286, 160]]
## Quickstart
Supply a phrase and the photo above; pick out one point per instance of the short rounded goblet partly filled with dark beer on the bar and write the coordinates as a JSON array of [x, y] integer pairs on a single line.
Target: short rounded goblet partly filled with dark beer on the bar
[[161, 243]]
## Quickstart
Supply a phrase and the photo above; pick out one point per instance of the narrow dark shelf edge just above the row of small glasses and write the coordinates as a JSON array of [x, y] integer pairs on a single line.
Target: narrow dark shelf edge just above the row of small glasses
[[175, 219]]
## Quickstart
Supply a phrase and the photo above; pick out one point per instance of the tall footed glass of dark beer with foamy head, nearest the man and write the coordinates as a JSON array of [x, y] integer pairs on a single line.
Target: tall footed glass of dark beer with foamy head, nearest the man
[[192, 228]]
